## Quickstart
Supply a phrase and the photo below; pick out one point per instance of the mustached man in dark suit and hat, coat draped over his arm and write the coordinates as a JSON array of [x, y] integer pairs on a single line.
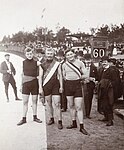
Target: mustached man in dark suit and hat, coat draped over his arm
[[108, 79]]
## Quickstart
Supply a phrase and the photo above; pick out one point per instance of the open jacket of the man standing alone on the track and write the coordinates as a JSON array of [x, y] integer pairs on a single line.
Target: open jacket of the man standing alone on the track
[[3, 70]]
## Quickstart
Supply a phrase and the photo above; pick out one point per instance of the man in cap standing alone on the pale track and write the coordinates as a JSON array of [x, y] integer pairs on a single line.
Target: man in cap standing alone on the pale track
[[8, 71]]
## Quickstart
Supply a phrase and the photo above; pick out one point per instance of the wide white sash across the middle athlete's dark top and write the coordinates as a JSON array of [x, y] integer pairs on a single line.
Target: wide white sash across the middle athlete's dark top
[[50, 74]]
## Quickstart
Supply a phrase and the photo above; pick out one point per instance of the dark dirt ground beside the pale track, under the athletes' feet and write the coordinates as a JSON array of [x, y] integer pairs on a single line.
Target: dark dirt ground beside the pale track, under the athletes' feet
[[101, 137]]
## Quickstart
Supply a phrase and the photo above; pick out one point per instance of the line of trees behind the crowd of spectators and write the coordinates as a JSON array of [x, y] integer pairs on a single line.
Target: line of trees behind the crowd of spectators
[[115, 33]]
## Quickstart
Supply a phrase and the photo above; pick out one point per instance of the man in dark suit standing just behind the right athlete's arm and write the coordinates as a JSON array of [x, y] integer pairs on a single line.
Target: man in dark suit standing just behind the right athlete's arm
[[89, 83]]
